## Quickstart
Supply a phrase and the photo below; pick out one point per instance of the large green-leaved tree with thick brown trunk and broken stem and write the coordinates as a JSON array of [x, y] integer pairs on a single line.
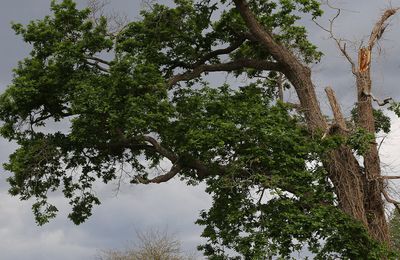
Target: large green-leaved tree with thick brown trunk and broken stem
[[282, 175]]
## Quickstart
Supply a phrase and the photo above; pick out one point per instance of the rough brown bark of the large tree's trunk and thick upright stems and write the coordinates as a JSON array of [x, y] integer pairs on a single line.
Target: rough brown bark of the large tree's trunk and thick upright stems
[[358, 189]]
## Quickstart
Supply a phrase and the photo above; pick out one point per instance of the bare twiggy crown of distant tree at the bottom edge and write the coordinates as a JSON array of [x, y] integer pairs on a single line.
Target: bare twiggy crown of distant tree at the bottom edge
[[153, 244]]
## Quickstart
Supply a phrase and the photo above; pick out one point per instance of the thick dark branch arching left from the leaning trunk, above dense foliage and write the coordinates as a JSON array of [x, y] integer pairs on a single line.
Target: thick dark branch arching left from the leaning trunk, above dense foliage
[[229, 66]]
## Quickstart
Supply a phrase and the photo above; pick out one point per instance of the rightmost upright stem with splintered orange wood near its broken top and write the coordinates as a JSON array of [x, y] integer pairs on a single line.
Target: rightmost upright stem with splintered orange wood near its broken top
[[373, 186]]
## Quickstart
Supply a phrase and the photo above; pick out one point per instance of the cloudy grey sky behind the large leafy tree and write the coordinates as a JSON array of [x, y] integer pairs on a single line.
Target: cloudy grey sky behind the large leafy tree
[[173, 206]]
